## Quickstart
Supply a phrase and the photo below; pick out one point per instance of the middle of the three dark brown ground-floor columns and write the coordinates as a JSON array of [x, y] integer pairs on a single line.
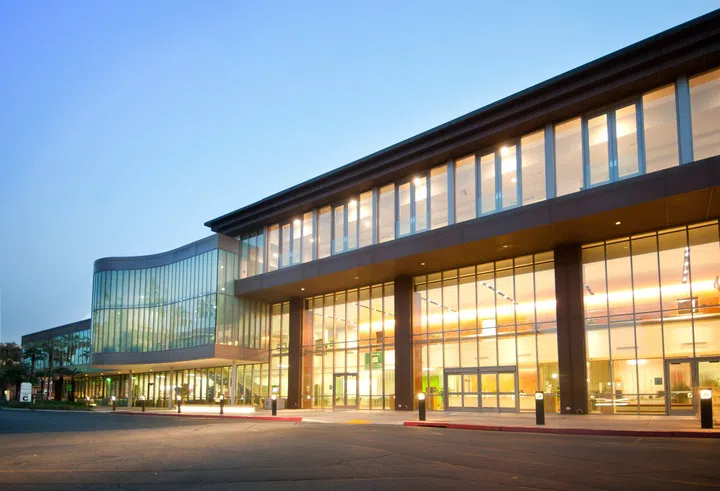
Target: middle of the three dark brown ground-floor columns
[[404, 393]]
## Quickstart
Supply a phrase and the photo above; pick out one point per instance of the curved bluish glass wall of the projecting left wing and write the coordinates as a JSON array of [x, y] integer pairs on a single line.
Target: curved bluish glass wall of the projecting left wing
[[155, 309]]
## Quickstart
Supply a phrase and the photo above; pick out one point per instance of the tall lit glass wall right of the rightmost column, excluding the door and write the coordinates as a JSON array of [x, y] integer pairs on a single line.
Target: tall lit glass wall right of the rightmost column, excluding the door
[[648, 298]]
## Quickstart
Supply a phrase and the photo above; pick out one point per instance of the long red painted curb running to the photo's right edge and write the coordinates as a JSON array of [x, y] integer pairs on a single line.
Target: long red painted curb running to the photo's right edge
[[568, 431]]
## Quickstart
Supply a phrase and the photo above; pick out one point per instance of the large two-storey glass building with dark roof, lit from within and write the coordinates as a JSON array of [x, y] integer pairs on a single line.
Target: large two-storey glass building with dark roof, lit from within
[[564, 239]]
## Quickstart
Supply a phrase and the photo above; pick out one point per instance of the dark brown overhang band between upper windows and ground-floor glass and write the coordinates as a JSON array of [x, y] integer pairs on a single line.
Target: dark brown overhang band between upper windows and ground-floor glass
[[676, 196]]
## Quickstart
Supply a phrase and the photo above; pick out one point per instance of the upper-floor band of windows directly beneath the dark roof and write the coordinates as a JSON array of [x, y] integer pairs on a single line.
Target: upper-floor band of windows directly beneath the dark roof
[[634, 137]]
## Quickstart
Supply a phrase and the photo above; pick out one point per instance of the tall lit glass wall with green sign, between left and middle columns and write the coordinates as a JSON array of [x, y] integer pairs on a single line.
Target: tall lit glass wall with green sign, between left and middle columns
[[349, 350]]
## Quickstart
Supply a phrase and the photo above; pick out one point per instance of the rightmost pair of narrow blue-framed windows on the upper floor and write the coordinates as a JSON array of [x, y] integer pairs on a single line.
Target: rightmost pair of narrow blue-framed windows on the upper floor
[[612, 145]]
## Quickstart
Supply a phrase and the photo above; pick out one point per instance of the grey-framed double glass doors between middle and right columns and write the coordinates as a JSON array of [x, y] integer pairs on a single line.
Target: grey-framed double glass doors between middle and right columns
[[493, 389]]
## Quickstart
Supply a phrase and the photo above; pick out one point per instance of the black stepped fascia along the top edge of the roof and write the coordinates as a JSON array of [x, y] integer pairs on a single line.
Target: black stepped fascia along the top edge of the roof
[[656, 51]]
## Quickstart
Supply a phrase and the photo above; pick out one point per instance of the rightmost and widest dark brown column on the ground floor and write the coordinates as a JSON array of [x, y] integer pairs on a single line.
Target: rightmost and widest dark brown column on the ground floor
[[571, 330]]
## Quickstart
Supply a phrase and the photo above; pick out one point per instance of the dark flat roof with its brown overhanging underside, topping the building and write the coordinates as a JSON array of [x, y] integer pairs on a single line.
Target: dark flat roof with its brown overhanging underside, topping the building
[[692, 45]]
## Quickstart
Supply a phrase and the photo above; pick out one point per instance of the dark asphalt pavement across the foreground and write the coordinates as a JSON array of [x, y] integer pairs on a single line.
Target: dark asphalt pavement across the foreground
[[78, 451]]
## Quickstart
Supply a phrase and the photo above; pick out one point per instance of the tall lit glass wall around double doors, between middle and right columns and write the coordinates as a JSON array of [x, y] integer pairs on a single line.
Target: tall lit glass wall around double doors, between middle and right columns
[[498, 314]]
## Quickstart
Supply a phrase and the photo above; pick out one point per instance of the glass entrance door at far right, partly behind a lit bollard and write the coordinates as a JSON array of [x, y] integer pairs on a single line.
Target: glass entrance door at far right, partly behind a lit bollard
[[685, 378]]
